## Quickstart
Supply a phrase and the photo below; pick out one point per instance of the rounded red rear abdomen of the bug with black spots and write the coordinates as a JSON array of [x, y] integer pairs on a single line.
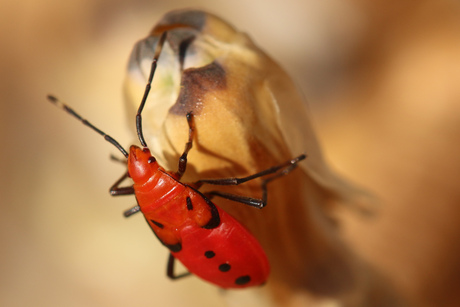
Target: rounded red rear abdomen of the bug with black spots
[[228, 255]]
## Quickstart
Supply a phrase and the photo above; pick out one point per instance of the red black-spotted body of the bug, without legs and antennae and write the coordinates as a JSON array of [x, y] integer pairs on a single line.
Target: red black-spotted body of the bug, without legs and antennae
[[206, 239]]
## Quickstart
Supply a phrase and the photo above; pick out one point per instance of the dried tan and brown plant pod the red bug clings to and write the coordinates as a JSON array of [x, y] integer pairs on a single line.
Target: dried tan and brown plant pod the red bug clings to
[[250, 116]]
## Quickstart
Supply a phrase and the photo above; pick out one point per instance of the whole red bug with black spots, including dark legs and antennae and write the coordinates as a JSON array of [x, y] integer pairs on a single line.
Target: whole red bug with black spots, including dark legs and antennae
[[208, 241]]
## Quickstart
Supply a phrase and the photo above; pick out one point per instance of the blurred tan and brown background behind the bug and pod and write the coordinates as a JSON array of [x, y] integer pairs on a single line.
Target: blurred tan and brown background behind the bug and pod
[[382, 80]]
